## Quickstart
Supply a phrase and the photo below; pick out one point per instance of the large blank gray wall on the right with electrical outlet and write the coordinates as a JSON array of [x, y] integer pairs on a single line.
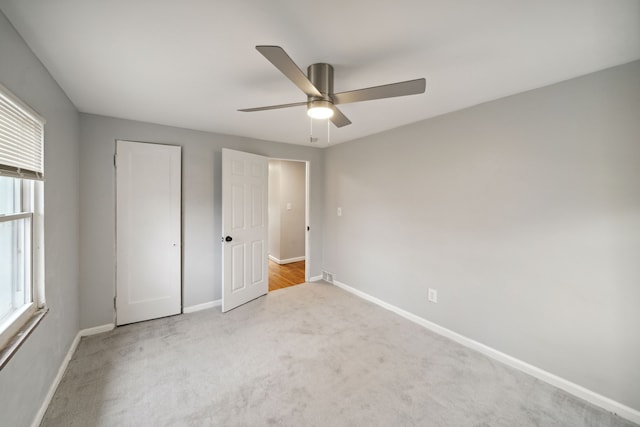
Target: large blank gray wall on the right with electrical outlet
[[524, 214]]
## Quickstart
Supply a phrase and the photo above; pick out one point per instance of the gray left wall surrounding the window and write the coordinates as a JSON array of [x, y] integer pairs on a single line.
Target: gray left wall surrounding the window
[[25, 380]]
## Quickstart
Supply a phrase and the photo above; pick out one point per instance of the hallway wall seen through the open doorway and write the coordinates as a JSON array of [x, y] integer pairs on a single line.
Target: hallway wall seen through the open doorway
[[286, 226]]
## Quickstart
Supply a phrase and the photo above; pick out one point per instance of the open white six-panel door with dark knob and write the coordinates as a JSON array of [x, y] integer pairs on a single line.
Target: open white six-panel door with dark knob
[[244, 227]]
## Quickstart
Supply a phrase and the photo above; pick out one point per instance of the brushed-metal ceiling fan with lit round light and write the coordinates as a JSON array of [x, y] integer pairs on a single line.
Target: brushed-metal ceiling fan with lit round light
[[318, 86]]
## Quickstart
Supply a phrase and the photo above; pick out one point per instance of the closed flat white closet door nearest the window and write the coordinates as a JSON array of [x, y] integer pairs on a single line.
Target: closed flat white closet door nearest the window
[[148, 232]]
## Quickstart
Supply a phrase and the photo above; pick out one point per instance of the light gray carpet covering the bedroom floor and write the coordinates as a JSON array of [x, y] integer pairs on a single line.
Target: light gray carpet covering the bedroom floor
[[309, 355]]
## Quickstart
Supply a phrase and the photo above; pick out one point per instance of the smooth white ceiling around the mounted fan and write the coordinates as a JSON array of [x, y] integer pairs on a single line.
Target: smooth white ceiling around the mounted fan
[[192, 63]]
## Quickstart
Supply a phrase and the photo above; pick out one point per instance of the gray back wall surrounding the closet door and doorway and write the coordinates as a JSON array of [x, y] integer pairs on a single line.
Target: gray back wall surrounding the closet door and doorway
[[201, 173]]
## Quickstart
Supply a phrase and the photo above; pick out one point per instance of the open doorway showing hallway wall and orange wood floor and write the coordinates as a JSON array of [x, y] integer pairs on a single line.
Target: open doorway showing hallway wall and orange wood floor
[[288, 223]]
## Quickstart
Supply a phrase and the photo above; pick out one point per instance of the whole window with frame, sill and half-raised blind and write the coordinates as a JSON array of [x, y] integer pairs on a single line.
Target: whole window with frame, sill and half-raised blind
[[21, 222]]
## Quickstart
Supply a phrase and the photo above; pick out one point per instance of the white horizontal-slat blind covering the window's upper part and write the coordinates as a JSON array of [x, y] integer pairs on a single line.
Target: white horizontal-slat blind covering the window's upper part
[[21, 138]]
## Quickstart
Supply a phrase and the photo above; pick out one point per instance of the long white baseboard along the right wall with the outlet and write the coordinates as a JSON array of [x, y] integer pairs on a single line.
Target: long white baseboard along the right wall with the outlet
[[561, 383]]
